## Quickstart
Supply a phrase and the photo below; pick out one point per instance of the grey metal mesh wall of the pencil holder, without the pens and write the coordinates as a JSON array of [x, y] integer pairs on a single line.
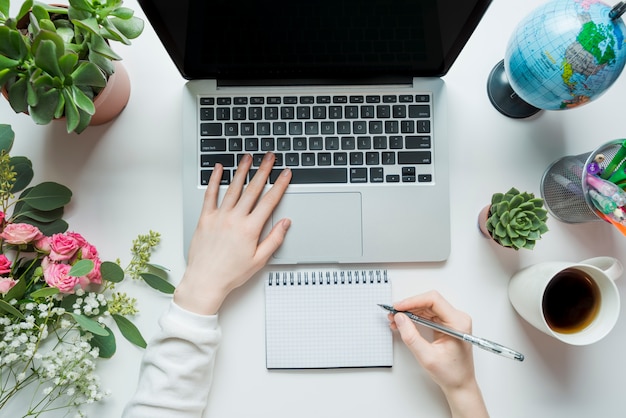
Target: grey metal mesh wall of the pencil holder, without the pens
[[564, 187]]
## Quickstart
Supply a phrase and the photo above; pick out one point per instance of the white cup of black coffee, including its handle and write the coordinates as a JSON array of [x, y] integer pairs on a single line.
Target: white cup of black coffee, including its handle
[[577, 303]]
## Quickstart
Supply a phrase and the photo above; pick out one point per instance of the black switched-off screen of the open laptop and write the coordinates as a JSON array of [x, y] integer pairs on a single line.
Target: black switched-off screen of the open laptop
[[319, 39]]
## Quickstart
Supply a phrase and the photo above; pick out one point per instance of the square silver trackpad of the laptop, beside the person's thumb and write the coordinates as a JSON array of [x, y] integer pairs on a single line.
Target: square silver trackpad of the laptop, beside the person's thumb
[[324, 226]]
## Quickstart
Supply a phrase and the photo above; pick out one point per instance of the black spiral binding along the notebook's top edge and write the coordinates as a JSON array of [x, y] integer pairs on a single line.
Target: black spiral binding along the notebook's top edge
[[326, 278]]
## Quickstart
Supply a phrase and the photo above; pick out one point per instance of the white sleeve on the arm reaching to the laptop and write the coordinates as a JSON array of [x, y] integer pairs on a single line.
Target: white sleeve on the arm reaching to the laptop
[[177, 367]]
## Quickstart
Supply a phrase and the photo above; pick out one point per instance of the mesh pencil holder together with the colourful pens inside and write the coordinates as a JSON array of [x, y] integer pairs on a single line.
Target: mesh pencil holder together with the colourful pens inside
[[574, 190]]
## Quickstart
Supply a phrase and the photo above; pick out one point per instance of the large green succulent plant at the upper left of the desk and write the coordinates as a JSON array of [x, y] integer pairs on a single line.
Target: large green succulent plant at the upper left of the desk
[[55, 59]]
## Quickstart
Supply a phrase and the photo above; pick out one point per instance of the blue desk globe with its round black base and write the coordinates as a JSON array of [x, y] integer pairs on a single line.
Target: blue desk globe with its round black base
[[562, 55]]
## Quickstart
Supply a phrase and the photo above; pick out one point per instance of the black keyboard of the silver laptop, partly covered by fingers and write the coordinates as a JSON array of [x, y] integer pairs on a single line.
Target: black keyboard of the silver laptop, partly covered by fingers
[[322, 139]]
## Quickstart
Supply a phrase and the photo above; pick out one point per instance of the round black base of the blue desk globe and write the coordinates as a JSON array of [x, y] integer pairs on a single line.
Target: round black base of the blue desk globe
[[503, 98]]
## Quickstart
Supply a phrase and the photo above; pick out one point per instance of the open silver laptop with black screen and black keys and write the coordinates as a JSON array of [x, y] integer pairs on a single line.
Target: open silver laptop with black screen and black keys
[[347, 93]]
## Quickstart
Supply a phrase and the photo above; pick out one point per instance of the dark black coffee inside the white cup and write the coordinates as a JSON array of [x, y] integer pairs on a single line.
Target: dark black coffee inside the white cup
[[571, 301]]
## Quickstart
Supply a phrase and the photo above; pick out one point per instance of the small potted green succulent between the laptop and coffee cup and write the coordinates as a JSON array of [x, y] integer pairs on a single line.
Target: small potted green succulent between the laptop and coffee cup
[[514, 219]]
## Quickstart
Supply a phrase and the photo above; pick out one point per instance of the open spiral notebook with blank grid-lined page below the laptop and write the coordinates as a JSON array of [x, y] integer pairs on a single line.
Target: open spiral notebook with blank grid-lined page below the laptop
[[327, 319]]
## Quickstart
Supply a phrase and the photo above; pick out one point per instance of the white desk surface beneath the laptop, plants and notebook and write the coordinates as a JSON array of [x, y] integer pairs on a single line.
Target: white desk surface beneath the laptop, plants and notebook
[[126, 179]]
